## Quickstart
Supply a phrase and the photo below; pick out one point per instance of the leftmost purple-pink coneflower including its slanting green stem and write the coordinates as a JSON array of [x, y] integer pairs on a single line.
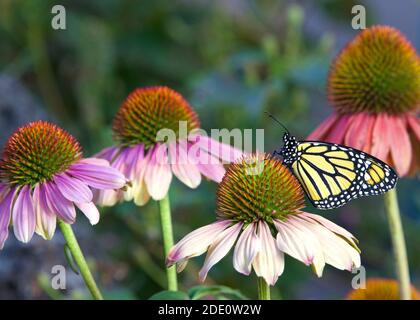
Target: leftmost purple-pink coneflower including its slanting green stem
[[43, 178]]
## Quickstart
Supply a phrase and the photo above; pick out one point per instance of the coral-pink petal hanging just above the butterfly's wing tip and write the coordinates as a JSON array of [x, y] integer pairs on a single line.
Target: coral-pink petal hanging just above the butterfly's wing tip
[[401, 150]]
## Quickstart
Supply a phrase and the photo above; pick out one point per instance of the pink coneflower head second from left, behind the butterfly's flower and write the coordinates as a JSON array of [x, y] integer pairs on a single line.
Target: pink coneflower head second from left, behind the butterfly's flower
[[150, 163]]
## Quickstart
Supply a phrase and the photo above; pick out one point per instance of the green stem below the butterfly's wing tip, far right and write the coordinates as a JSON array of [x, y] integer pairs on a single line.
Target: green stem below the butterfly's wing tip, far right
[[398, 243]]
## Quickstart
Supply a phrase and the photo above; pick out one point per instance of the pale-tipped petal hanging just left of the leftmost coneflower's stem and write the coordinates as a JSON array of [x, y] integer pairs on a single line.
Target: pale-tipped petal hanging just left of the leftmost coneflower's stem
[[46, 220]]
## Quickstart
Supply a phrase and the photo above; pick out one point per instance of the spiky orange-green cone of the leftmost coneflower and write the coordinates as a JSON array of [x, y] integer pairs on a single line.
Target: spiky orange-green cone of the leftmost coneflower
[[36, 152]]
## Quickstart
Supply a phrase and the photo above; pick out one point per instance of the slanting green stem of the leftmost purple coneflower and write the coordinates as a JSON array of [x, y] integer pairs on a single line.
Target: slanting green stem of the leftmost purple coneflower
[[80, 259]]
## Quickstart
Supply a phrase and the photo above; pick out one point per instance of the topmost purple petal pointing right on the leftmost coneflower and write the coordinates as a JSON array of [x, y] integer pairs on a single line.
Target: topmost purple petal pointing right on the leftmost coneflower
[[97, 176]]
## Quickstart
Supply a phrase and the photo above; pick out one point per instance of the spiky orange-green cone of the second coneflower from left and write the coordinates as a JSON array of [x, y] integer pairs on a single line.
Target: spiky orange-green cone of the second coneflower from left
[[148, 110]]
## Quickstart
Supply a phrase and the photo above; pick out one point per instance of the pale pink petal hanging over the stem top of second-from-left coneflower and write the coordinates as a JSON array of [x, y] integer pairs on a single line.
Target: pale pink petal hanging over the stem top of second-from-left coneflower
[[158, 175]]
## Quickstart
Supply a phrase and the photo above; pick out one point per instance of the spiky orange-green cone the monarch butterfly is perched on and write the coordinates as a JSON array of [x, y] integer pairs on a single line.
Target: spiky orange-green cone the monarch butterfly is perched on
[[258, 187]]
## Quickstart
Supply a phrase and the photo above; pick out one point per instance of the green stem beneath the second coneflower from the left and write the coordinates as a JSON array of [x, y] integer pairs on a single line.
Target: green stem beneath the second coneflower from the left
[[168, 240]]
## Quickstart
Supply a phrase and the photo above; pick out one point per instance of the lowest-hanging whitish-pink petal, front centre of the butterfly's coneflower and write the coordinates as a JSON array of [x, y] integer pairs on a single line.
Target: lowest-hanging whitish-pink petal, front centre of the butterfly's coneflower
[[269, 262]]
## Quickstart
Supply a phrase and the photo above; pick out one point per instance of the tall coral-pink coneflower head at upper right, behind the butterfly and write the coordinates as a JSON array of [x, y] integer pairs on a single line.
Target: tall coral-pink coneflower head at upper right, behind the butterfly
[[374, 87]]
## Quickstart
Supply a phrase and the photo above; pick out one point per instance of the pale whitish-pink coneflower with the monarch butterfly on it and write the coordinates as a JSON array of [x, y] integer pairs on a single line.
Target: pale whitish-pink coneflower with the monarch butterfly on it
[[258, 209]]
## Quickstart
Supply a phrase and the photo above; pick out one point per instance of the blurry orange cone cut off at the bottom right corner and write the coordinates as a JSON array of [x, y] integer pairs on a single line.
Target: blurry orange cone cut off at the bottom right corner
[[380, 289]]
